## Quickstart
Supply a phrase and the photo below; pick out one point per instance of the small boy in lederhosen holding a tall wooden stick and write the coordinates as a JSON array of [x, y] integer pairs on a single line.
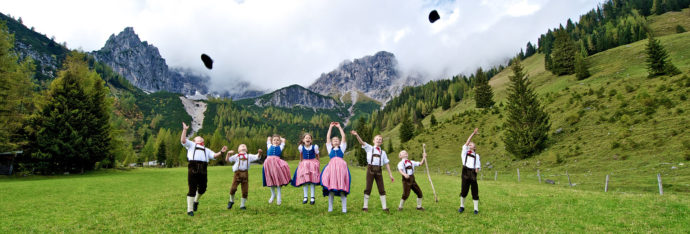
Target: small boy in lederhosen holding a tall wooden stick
[[406, 167]]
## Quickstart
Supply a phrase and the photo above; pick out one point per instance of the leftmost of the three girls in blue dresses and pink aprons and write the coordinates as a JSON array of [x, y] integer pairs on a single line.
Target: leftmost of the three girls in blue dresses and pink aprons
[[276, 171]]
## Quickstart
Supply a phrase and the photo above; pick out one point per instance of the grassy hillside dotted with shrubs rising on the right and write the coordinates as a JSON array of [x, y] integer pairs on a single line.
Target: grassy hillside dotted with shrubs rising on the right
[[648, 144]]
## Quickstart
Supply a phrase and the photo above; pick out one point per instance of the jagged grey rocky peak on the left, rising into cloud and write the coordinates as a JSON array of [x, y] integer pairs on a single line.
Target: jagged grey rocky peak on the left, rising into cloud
[[143, 66]]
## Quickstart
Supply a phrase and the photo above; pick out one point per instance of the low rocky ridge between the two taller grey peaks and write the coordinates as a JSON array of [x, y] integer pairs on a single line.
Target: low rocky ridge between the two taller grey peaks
[[295, 95]]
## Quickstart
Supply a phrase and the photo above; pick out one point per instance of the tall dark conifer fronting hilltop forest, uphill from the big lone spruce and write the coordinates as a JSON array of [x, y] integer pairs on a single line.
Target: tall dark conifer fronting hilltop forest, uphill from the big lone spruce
[[563, 54]]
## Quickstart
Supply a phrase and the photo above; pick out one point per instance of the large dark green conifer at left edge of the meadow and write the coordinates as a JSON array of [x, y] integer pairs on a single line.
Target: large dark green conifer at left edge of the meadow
[[71, 131]]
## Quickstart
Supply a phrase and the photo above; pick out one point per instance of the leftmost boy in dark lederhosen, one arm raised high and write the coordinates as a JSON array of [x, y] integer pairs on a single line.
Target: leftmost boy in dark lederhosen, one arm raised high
[[198, 157]]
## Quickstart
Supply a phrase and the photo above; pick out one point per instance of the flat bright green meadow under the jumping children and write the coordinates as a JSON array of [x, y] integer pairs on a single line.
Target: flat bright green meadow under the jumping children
[[152, 200]]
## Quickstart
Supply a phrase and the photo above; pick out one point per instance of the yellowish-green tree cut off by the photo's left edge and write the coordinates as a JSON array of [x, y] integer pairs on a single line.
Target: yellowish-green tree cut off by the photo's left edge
[[15, 92]]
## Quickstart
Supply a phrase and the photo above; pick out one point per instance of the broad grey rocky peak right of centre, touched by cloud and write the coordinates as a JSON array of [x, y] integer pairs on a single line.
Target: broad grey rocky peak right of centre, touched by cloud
[[375, 76]]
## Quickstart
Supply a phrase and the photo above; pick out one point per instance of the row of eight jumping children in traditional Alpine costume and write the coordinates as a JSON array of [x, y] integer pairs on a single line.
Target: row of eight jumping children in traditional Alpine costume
[[334, 178]]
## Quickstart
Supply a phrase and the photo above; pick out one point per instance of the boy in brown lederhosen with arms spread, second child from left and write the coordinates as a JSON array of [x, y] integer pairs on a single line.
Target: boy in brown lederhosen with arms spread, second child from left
[[241, 169]]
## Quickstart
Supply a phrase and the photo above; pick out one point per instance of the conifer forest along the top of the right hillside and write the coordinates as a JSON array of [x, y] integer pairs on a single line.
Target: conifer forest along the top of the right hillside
[[611, 24]]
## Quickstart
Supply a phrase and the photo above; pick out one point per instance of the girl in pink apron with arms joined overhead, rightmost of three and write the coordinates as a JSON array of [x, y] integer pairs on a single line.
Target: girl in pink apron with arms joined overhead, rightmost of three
[[335, 178]]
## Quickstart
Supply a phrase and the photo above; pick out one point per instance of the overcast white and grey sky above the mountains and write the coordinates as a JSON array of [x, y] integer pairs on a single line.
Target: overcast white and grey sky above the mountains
[[273, 44]]
